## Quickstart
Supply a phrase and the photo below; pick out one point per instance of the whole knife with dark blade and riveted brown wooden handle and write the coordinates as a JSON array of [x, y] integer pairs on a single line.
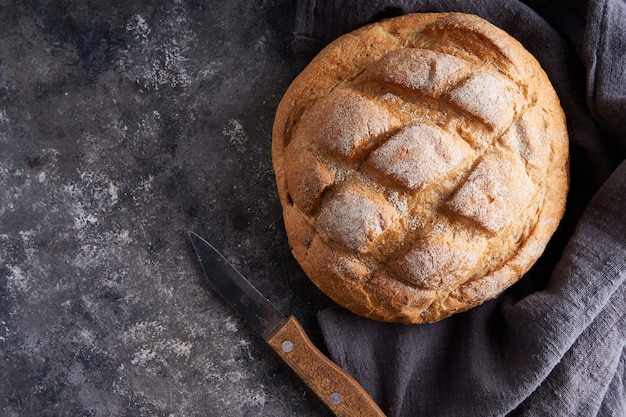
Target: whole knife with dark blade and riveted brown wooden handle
[[341, 393]]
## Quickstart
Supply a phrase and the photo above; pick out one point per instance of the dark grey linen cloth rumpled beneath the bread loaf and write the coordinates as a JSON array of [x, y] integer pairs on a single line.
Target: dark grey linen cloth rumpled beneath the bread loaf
[[553, 344]]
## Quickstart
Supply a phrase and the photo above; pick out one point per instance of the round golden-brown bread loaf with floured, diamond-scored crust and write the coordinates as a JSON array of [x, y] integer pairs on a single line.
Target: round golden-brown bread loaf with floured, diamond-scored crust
[[422, 166]]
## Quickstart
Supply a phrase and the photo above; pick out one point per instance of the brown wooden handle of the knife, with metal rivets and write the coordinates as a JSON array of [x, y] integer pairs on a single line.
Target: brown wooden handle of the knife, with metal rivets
[[335, 387]]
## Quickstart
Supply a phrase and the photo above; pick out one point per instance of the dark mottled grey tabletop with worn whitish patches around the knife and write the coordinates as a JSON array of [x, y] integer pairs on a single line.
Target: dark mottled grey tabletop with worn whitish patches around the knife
[[122, 126]]
